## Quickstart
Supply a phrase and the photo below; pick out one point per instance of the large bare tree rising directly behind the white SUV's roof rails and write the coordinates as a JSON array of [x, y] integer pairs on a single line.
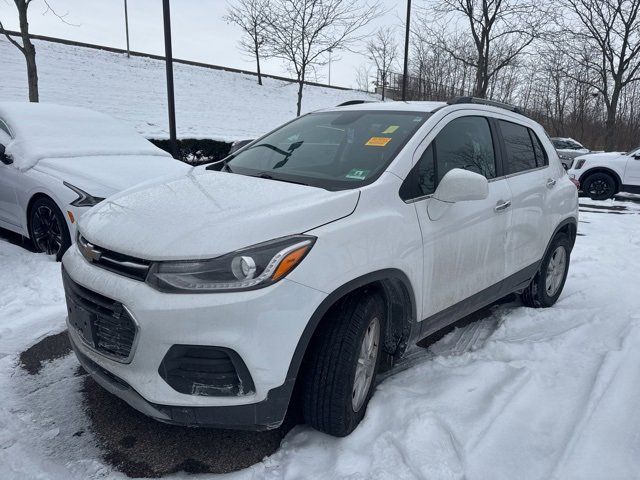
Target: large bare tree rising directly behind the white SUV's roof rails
[[494, 35]]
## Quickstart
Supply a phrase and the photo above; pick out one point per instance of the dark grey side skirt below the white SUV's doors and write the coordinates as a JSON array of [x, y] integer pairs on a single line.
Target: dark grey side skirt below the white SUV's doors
[[452, 314]]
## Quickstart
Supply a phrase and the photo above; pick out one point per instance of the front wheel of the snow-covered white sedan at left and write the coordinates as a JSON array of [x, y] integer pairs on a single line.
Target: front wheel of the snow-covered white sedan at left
[[48, 228]]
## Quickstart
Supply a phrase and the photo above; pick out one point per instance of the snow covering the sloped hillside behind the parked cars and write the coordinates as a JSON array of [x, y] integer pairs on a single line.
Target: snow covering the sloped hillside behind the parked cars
[[209, 103]]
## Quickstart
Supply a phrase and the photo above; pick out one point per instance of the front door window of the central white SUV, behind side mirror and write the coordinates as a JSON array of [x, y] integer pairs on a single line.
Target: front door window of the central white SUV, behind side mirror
[[465, 143]]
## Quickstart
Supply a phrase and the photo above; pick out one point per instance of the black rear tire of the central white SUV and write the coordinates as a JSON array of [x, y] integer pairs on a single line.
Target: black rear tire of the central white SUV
[[538, 294]]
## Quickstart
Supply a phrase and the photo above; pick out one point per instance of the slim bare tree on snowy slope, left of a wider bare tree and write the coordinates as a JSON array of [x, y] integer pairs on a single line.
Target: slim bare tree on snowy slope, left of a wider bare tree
[[251, 17]]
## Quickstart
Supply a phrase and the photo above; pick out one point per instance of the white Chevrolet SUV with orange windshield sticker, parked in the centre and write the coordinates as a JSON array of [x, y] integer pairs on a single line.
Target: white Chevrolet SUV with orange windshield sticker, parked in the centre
[[314, 258]]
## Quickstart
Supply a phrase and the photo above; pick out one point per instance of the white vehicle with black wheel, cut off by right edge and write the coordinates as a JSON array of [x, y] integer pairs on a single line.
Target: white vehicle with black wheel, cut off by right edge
[[602, 175]]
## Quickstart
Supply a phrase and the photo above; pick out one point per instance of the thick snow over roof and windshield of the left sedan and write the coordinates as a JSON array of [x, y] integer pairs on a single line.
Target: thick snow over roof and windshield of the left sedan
[[42, 130]]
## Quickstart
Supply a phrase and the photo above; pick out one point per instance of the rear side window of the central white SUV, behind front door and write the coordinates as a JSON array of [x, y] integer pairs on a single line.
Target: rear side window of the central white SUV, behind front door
[[524, 151]]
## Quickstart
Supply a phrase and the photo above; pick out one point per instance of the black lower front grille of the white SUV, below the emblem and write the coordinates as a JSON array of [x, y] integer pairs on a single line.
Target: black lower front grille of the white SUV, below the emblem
[[104, 324]]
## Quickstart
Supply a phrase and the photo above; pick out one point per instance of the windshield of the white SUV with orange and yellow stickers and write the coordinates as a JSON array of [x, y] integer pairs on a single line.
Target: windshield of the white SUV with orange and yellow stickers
[[332, 150]]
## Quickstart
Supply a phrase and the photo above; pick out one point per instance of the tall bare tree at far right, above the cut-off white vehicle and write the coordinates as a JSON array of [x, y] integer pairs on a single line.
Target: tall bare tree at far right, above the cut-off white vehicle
[[612, 29]]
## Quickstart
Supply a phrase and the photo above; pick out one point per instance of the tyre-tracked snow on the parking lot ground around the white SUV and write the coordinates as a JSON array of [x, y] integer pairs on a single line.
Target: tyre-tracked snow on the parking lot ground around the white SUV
[[525, 393]]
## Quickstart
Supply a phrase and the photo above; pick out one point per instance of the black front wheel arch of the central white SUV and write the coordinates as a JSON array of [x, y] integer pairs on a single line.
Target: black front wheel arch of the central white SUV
[[397, 292]]
